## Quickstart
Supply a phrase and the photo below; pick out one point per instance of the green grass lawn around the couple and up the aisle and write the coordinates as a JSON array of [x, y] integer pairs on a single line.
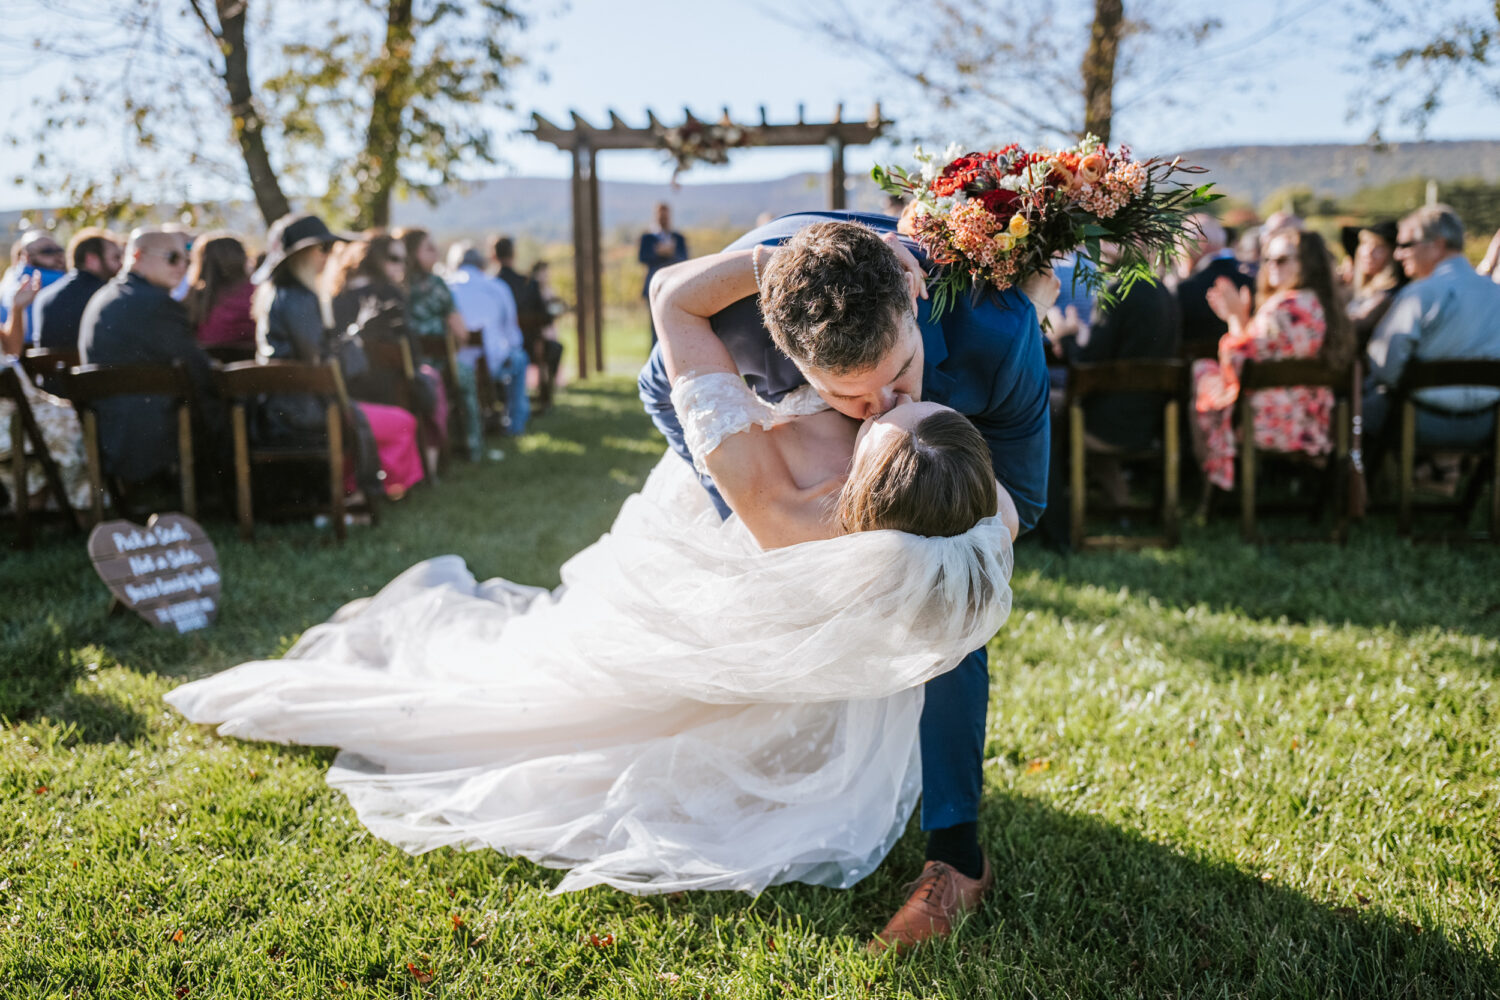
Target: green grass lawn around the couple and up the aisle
[[1214, 771]]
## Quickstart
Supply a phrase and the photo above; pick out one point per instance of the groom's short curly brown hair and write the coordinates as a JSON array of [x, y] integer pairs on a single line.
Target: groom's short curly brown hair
[[833, 298]]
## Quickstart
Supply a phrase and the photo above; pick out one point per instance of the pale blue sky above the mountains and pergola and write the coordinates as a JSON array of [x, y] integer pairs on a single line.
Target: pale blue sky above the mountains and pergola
[[668, 55]]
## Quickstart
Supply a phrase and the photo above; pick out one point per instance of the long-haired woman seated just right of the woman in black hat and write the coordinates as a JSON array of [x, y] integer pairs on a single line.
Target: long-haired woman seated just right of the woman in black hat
[[367, 284]]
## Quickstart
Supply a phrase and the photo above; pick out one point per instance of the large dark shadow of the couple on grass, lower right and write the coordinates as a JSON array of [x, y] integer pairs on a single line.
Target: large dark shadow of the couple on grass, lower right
[[1082, 908]]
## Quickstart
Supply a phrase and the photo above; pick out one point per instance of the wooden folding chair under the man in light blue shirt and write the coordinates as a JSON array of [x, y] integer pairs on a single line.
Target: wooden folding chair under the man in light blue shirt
[[1444, 374]]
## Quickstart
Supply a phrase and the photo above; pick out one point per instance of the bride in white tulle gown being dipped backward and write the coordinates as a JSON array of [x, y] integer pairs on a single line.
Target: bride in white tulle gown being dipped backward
[[703, 704]]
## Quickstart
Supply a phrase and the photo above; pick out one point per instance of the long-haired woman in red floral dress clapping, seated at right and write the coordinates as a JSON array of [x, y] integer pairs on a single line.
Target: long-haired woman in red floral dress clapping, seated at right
[[1300, 317]]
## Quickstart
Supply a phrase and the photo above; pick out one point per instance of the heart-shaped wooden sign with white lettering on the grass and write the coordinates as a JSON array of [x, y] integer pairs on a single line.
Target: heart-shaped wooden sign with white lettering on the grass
[[166, 572]]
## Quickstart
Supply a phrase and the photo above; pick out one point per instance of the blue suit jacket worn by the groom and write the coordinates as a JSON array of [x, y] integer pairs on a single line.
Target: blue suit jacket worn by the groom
[[983, 359]]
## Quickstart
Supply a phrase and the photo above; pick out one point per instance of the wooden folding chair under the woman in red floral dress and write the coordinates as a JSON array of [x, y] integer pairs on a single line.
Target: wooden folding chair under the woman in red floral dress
[[1288, 374]]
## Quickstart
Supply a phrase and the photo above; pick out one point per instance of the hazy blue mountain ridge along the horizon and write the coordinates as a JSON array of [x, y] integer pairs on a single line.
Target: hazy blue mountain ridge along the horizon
[[539, 208]]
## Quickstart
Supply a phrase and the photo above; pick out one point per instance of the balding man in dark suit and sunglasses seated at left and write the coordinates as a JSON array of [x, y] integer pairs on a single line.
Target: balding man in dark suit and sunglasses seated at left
[[134, 320]]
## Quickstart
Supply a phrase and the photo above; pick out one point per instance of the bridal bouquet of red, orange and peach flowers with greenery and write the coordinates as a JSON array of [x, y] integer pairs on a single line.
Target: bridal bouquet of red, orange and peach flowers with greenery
[[998, 218]]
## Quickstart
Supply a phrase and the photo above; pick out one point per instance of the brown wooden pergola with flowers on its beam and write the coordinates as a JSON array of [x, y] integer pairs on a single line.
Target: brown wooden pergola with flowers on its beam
[[586, 142]]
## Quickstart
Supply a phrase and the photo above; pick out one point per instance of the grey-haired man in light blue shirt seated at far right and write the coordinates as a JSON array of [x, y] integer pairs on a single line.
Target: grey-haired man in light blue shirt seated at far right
[[1448, 313]]
